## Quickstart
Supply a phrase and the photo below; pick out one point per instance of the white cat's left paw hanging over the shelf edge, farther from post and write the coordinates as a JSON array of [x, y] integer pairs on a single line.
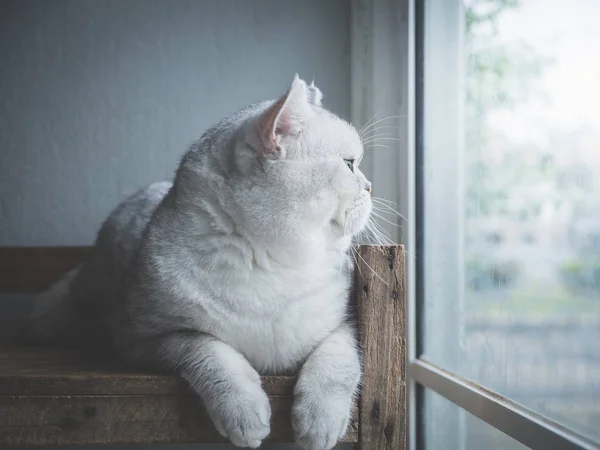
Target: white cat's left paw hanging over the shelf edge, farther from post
[[242, 415]]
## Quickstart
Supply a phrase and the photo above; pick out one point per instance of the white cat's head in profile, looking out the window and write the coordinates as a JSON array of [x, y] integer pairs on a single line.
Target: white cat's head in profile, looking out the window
[[291, 171]]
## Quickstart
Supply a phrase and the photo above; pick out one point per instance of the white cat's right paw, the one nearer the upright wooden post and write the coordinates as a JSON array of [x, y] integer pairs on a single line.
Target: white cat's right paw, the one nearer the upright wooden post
[[319, 421]]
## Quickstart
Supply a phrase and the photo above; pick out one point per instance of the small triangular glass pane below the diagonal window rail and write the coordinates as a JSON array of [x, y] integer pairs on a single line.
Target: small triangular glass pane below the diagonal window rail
[[448, 427]]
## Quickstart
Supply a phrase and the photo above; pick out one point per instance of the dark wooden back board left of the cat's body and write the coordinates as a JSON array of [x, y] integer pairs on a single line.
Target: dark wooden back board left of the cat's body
[[33, 269]]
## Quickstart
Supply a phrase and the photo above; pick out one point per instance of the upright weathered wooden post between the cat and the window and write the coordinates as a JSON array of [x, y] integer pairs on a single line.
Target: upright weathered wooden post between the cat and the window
[[381, 303]]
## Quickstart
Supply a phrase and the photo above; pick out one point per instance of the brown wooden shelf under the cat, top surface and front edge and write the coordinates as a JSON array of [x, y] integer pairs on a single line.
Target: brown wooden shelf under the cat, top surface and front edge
[[55, 396]]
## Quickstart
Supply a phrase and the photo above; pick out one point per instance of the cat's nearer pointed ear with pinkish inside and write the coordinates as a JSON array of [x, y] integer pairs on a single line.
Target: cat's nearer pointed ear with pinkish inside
[[284, 117]]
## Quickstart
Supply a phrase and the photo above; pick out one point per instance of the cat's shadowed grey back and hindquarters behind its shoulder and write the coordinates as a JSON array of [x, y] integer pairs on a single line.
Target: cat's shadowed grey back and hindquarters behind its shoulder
[[83, 301]]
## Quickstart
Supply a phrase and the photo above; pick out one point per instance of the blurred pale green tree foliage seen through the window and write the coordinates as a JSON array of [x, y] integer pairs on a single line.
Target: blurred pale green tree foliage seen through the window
[[499, 75]]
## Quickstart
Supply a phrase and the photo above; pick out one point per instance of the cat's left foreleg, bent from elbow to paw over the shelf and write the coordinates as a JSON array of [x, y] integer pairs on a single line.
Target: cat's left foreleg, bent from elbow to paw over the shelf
[[229, 387]]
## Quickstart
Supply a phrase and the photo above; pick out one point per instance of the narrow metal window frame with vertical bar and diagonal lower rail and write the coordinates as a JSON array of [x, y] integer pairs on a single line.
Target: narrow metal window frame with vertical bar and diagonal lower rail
[[521, 424]]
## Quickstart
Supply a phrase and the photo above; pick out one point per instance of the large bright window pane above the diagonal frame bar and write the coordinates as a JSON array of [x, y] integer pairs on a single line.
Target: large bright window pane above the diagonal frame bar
[[512, 200]]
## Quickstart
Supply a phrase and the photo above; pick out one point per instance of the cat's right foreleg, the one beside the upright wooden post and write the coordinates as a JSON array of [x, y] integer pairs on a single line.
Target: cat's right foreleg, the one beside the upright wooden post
[[325, 390]]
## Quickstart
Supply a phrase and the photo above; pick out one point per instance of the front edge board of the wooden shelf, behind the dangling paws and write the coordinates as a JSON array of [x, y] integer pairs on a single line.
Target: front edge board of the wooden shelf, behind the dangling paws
[[39, 420]]
